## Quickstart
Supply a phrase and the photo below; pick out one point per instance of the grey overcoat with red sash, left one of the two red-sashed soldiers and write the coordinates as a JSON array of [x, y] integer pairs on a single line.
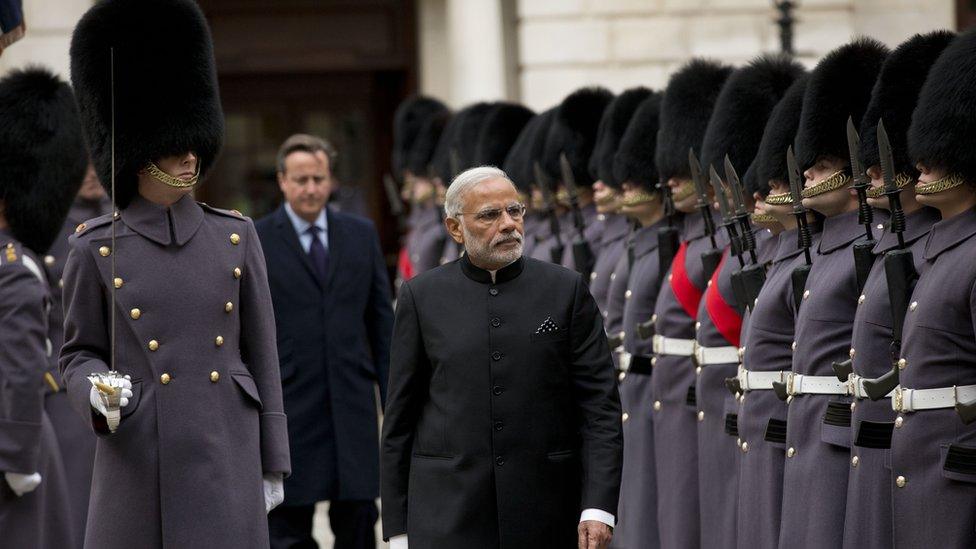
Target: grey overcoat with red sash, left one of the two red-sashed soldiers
[[673, 391]]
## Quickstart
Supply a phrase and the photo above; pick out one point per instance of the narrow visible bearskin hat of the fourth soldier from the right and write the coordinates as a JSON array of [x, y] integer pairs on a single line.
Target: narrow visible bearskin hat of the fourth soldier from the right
[[770, 162]]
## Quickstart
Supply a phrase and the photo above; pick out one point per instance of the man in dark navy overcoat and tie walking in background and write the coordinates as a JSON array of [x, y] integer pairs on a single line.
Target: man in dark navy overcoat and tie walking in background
[[334, 317]]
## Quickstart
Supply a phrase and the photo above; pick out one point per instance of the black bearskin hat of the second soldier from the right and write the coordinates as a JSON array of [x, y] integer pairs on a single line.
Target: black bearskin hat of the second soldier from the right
[[895, 95]]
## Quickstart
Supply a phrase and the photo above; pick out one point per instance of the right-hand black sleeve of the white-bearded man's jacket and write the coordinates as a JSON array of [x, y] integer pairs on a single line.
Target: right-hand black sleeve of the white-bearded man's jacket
[[599, 404]]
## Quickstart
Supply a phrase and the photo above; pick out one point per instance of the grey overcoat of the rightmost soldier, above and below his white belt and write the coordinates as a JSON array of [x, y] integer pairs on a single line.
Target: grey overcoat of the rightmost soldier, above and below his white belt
[[933, 454]]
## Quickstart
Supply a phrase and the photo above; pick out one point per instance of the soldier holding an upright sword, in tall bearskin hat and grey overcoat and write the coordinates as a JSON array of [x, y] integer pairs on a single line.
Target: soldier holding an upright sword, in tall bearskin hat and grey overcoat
[[199, 456]]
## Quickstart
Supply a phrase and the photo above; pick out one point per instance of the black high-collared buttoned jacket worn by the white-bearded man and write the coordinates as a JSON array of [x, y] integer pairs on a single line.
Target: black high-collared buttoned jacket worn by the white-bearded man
[[503, 419]]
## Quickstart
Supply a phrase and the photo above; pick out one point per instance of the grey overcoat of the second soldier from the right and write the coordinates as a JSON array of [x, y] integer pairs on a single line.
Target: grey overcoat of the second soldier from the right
[[868, 518]]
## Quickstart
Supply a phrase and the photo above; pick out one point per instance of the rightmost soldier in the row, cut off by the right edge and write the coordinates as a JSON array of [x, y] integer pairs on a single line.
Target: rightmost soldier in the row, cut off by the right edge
[[933, 478]]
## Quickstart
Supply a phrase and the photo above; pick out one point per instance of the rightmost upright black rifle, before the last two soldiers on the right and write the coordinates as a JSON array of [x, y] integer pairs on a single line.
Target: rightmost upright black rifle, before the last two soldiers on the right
[[900, 273]]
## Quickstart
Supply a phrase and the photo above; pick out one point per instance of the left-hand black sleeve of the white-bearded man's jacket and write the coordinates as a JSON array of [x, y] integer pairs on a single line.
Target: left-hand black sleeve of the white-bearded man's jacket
[[408, 386]]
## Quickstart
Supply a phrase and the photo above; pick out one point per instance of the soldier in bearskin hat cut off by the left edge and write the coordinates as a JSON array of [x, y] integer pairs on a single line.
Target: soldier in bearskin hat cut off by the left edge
[[43, 155]]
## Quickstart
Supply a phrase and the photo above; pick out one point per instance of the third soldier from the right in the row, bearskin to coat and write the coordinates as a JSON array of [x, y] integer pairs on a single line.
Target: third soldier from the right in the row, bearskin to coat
[[818, 421]]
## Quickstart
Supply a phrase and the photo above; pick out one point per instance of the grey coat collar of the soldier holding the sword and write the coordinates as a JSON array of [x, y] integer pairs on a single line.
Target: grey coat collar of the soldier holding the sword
[[163, 225]]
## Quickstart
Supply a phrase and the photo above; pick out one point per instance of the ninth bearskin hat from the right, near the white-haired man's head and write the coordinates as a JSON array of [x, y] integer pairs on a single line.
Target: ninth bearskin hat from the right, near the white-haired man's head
[[573, 133]]
